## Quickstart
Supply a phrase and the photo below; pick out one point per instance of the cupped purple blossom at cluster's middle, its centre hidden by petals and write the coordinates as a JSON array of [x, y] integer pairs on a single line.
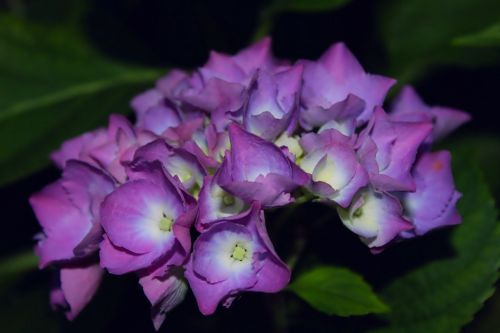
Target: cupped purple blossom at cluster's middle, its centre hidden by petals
[[255, 169]]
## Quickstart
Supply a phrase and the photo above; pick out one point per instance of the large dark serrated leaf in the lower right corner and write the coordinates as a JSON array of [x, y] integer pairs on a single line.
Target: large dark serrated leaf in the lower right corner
[[444, 295]]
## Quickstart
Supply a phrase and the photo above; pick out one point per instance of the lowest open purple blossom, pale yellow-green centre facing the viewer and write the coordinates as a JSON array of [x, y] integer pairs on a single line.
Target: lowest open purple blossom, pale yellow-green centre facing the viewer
[[234, 255]]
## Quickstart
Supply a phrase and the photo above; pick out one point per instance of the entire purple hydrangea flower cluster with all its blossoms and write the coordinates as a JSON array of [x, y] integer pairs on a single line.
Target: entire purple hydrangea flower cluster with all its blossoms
[[212, 149]]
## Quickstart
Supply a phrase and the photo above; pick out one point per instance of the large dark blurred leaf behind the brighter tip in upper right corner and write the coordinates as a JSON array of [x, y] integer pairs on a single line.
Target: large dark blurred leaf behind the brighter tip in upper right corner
[[418, 34]]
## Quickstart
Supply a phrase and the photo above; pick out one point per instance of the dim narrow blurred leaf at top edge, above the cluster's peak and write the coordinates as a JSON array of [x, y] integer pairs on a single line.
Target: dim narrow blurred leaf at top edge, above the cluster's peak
[[275, 7]]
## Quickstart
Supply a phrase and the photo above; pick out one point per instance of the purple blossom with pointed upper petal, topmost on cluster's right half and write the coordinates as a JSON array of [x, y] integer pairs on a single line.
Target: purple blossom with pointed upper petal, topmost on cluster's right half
[[336, 87]]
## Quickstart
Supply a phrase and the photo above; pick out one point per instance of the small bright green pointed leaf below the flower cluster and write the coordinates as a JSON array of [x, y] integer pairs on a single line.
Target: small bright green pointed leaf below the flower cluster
[[337, 291]]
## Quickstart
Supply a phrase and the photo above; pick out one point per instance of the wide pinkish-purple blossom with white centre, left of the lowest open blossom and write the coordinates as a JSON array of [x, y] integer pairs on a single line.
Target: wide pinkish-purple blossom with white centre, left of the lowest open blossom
[[146, 220]]
